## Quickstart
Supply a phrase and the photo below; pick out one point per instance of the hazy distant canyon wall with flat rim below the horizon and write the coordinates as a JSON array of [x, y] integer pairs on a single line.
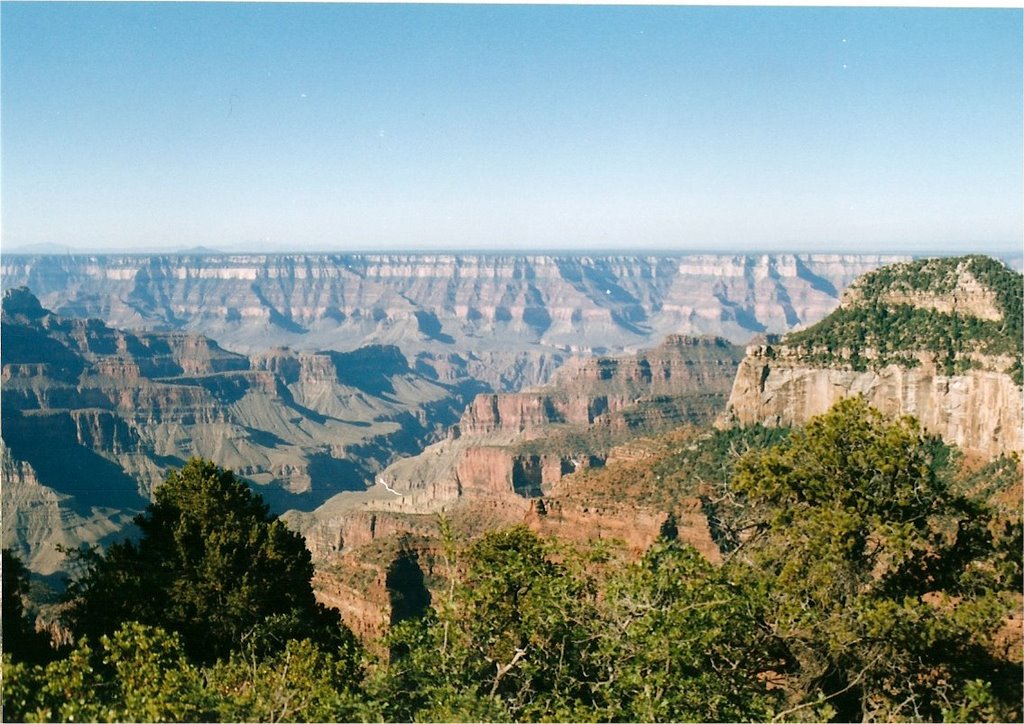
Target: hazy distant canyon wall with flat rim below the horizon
[[509, 320]]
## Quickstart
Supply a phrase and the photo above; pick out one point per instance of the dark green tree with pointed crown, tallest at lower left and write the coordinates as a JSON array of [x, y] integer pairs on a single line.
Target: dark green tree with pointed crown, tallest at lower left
[[214, 566]]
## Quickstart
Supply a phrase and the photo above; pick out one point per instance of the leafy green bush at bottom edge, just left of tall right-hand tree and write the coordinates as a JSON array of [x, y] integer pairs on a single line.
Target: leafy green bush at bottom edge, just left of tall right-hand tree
[[678, 641]]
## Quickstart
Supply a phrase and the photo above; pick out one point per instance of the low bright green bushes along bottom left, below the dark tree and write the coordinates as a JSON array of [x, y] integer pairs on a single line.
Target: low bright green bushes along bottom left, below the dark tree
[[141, 673]]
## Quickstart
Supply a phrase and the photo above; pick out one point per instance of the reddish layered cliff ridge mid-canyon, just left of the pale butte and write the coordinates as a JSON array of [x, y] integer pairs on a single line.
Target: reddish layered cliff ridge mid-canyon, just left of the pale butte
[[522, 443]]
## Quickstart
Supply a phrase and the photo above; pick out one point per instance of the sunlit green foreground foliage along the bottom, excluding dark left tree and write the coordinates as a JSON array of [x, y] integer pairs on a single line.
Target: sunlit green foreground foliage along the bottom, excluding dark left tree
[[865, 578]]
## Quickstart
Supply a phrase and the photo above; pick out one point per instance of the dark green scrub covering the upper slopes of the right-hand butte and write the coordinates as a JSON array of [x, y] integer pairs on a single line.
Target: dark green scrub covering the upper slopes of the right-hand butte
[[875, 332]]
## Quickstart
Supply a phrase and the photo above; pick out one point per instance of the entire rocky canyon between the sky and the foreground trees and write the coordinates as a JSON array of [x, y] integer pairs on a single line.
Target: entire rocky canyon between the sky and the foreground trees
[[366, 396]]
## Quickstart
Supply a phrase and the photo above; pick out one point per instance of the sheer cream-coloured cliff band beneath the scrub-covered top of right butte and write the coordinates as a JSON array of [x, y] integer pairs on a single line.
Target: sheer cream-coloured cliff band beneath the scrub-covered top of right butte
[[979, 411]]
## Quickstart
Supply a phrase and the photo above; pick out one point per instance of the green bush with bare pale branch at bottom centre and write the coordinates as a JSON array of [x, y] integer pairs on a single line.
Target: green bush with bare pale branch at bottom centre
[[506, 641]]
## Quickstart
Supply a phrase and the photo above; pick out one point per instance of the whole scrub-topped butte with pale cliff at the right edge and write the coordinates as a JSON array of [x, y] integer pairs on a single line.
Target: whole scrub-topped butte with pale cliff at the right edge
[[938, 339]]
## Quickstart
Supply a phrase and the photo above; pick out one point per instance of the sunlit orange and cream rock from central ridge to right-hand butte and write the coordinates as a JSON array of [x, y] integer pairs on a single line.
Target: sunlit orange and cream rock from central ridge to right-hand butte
[[549, 458]]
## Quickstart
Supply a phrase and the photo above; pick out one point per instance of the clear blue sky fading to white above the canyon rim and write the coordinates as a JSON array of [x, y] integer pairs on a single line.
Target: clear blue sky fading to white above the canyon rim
[[327, 126]]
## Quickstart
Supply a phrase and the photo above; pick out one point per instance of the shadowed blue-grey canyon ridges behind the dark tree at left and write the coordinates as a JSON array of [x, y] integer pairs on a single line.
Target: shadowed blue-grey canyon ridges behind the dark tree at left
[[94, 417]]
